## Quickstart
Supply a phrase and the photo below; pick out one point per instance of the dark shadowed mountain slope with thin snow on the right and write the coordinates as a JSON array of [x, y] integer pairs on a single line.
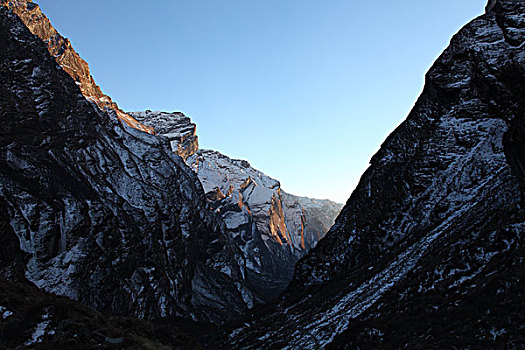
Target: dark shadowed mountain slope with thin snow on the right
[[428, 252]]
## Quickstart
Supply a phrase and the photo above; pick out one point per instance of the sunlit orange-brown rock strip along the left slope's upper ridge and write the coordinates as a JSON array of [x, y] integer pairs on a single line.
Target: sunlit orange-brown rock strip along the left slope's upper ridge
[[60, 48]]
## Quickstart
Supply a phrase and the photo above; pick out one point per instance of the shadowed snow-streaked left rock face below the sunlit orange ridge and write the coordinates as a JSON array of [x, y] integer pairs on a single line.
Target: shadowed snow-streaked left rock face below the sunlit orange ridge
[[102, 213]]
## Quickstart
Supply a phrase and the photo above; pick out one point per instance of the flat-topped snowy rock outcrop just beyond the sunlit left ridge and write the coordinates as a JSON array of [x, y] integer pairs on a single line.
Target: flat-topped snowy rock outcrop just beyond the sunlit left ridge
[[176, 127]]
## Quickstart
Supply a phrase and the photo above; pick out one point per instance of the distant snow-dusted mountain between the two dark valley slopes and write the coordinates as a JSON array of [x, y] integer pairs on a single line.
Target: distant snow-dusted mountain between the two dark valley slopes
[[272, 228]]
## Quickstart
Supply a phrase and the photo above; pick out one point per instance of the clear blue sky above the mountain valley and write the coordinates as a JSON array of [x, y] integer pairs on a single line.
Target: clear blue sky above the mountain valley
[[305, 90]]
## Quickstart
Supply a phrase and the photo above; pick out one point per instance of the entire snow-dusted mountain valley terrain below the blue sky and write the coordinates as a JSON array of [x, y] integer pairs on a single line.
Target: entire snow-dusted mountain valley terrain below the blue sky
[[117, 231]]
